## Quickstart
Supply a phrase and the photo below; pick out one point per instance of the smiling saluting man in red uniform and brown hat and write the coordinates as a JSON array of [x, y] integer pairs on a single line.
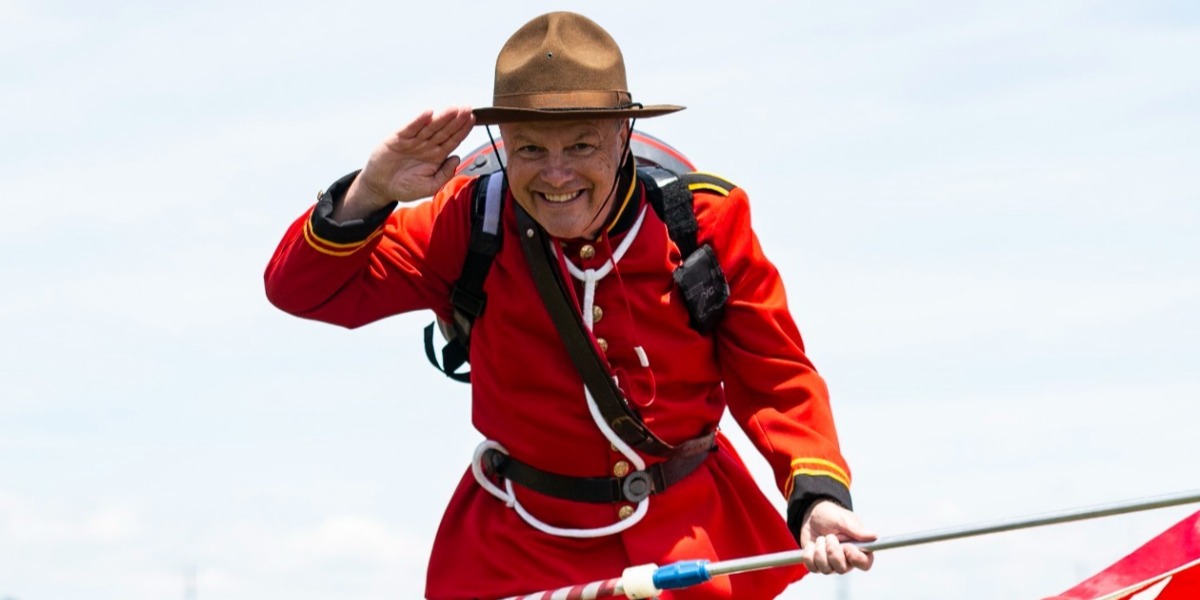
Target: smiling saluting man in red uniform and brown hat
[[561, 494]]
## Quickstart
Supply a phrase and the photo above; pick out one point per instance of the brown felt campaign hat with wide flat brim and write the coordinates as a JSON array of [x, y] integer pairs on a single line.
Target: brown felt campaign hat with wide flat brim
[[562, 67]]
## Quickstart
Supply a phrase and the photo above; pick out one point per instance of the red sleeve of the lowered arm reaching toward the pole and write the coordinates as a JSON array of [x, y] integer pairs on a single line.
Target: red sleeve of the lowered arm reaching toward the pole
[[773, 391]]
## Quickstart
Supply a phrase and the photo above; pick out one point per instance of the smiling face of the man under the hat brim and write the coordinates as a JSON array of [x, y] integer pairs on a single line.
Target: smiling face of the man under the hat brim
[[563, 173]]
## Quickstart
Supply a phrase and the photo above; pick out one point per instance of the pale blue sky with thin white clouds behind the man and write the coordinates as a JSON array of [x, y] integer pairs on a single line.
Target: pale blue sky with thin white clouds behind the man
[[986, 215]]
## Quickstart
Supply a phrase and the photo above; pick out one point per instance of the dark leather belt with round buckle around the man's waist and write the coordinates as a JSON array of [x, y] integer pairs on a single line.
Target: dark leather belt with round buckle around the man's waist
[[632, 488]]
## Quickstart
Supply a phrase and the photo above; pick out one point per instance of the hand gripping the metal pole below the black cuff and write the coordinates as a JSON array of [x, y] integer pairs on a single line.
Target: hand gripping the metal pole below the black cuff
[[823, 533]]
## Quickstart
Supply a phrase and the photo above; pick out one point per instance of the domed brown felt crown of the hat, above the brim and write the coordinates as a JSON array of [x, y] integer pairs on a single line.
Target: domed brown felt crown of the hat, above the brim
[[561, 53]]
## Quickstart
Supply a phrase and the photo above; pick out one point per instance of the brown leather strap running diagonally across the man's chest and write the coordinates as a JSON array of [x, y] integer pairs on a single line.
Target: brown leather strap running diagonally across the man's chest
[[616, 411]]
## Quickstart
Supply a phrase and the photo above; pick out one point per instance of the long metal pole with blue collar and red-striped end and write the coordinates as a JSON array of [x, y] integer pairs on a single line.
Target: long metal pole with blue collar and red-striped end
[[691, 573]]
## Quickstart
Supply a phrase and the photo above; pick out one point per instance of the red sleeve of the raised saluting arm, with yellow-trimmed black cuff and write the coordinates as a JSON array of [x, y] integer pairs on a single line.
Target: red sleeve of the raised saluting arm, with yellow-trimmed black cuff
[[363, 273]]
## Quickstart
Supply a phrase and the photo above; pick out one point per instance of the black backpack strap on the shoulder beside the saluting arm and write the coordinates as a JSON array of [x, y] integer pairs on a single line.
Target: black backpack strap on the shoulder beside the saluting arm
[[467, 296]]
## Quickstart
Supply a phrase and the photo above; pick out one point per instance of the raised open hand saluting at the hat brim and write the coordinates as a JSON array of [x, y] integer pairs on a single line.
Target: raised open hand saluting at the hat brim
[[411, 165]]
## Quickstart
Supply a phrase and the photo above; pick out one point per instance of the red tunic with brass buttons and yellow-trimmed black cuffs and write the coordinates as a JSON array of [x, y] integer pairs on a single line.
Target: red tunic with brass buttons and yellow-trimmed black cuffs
[[529, 397]]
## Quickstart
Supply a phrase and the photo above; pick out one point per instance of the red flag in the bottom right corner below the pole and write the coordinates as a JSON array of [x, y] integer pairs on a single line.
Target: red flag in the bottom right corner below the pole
[[1167, 568]]
